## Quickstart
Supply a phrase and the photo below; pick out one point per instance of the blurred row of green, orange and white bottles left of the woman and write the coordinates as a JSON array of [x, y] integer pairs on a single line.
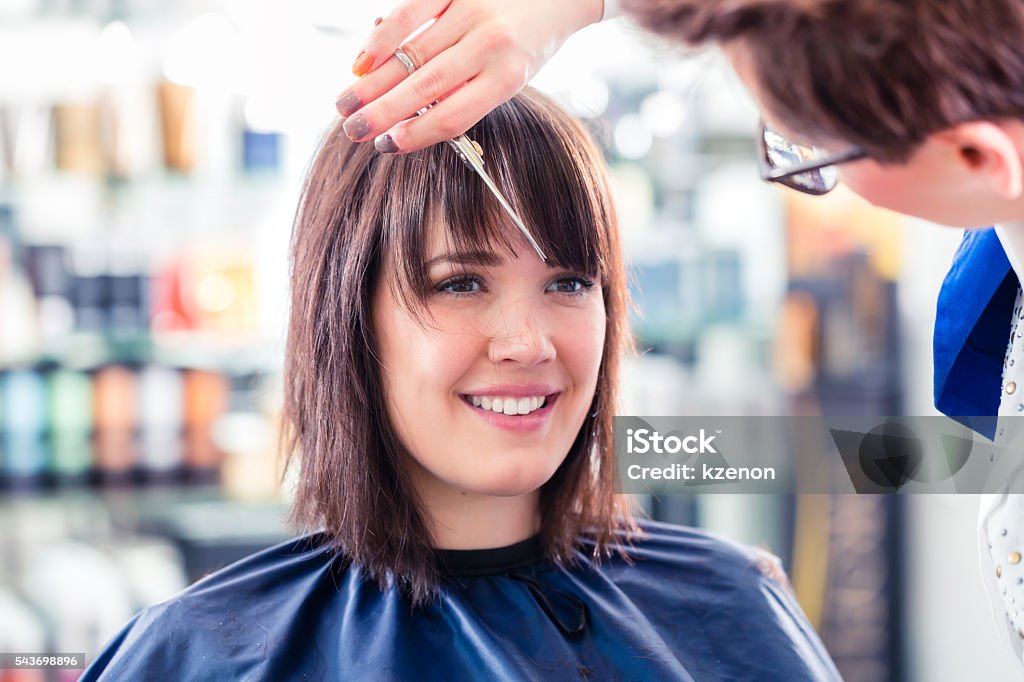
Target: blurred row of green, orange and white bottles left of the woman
[[115, 424]]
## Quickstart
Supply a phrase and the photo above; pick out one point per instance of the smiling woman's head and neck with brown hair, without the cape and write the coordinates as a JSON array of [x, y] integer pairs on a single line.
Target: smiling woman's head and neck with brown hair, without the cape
[[412, 292]]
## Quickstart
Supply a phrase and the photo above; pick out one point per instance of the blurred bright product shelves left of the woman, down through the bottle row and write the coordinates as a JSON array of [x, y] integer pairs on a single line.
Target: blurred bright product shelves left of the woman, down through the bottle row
[[140, 207]]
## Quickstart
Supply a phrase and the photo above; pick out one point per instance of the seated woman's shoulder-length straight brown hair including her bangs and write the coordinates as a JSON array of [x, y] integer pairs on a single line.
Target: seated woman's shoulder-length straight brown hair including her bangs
[[359, 205]]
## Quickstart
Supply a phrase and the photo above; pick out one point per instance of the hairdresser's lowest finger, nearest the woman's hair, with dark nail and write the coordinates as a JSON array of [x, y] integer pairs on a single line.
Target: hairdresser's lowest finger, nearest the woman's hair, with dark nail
[[453, 116]]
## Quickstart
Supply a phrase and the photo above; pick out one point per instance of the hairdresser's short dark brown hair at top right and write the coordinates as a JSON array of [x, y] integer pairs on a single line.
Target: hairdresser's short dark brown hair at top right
[[880, 74]]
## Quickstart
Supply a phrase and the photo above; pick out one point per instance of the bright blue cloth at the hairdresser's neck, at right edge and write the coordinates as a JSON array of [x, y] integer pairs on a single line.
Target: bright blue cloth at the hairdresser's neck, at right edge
[[972, 330]]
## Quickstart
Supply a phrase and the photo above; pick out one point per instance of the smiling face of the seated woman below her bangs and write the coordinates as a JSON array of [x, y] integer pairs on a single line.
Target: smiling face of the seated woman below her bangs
[[489, 393]]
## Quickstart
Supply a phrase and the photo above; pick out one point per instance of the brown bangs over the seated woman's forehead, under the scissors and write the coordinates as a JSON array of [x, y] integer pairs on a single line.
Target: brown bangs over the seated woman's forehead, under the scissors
[[546, 166]]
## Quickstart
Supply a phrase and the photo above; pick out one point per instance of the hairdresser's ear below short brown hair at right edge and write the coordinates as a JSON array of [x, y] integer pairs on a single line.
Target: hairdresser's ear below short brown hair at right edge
[[989, 149]]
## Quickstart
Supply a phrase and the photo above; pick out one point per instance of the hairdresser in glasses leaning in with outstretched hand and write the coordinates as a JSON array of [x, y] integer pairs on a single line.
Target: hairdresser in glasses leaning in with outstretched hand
[[894, 99]]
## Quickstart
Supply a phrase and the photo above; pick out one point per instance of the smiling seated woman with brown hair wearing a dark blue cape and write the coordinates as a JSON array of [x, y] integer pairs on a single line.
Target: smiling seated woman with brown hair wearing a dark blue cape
[[451, 399]]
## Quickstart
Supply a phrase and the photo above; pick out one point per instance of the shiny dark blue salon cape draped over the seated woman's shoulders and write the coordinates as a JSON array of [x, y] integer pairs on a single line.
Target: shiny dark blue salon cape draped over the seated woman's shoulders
[[694, 607]]
